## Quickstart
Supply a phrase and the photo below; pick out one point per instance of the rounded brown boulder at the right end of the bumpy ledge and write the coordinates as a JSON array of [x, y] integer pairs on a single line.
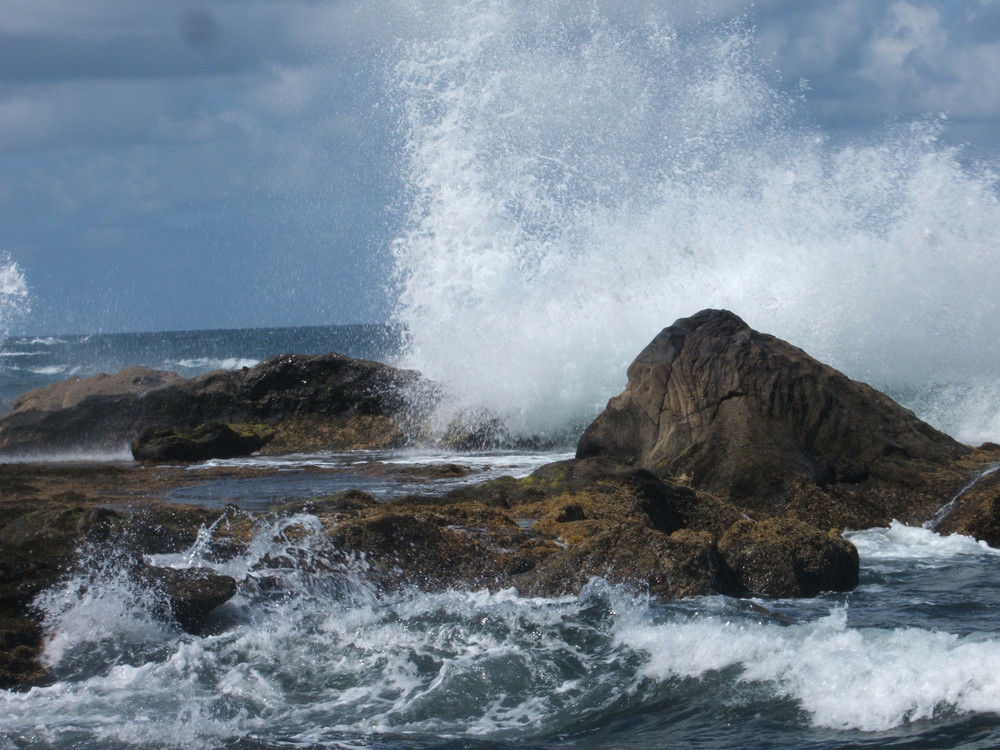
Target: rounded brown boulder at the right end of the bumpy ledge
[[785, 558]]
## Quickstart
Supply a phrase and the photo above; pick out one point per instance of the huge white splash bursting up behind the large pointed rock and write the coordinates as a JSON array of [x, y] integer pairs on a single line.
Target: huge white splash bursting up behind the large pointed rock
[[580, 177]]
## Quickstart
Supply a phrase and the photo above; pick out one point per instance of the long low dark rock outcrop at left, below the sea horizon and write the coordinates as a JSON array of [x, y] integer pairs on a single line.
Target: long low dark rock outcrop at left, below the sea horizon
[[328, 402]]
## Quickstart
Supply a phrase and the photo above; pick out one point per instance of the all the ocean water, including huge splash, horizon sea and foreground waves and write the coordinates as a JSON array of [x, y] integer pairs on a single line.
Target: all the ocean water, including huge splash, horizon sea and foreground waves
[[575, 177]]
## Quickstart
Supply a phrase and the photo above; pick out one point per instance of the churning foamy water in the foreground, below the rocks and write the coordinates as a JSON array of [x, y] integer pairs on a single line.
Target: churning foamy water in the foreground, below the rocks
[[309, 655]]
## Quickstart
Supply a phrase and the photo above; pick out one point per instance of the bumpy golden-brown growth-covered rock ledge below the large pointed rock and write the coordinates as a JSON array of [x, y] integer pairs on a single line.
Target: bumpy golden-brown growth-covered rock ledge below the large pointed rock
[[551, 532]]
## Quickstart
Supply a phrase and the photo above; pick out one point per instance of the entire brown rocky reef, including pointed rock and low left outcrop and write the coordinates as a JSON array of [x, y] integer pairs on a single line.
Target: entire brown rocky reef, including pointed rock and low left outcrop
[[730, 464]]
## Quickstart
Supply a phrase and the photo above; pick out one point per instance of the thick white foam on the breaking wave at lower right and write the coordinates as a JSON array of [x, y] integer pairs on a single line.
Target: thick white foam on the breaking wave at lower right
[[845, 678]]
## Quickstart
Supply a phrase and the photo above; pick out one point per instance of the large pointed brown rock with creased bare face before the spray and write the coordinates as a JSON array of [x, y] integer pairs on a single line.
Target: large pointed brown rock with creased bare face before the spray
[[748, 417]]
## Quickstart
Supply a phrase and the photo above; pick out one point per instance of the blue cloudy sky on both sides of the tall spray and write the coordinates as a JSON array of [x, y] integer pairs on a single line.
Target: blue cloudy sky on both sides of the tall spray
[[235, 163]]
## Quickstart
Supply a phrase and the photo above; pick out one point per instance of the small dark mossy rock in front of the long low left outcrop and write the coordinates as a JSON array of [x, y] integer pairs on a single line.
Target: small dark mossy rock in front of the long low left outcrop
[[214, 440]]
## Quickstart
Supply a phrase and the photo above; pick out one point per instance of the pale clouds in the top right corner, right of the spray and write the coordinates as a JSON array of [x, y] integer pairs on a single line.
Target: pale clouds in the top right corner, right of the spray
[[868, 62]]
